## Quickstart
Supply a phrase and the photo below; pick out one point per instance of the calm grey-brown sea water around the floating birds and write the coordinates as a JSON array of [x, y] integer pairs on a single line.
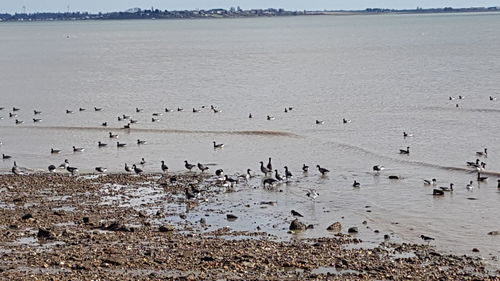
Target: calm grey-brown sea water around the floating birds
[[388, 74]]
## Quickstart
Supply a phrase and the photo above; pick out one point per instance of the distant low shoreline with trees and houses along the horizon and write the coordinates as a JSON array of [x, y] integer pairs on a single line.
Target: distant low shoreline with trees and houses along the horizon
[[136, 14]]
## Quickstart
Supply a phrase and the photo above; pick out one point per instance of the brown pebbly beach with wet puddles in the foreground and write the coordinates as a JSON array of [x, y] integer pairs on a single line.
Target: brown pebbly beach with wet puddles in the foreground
[[122, 227]]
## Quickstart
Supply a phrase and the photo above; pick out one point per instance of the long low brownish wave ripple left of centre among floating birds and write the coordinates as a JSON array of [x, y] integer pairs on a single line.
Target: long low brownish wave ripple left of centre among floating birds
[[171, 131]]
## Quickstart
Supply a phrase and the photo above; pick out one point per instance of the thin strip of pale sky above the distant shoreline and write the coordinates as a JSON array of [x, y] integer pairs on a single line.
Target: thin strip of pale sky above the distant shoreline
[[93, 6]]
